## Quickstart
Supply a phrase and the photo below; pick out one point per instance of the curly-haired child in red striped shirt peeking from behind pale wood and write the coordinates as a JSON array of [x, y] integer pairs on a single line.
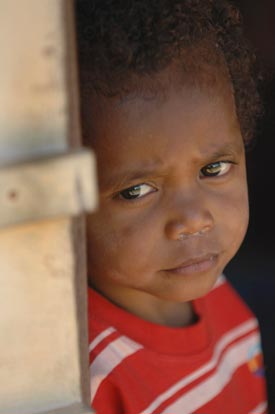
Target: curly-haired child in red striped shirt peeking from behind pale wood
[[168, 105]]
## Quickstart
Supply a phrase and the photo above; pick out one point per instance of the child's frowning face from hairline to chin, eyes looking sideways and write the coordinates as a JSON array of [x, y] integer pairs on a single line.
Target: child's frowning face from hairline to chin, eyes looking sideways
[[173, 196]]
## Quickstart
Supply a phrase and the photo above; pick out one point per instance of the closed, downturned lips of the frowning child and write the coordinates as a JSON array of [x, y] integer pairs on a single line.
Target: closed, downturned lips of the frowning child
[[195, 265]]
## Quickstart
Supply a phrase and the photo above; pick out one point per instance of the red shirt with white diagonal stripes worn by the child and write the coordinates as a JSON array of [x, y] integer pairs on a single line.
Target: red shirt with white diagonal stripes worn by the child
[[211, 367]]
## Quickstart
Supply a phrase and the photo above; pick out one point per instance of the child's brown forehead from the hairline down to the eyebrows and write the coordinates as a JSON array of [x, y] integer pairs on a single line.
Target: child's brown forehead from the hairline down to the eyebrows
[[158, 140]]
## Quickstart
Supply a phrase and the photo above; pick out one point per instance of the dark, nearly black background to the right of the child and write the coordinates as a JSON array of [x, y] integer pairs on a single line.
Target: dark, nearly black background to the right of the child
[[252, 271]]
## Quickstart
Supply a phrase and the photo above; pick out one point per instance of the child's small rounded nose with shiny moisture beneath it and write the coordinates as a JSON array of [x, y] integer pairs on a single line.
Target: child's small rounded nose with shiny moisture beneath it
[[191, 219]]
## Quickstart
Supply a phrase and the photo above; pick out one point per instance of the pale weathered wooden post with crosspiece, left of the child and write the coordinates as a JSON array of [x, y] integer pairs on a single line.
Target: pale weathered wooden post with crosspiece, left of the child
[[46, 184]]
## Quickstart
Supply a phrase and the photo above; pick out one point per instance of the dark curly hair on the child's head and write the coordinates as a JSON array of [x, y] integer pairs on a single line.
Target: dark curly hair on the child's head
[[124, 46]]
